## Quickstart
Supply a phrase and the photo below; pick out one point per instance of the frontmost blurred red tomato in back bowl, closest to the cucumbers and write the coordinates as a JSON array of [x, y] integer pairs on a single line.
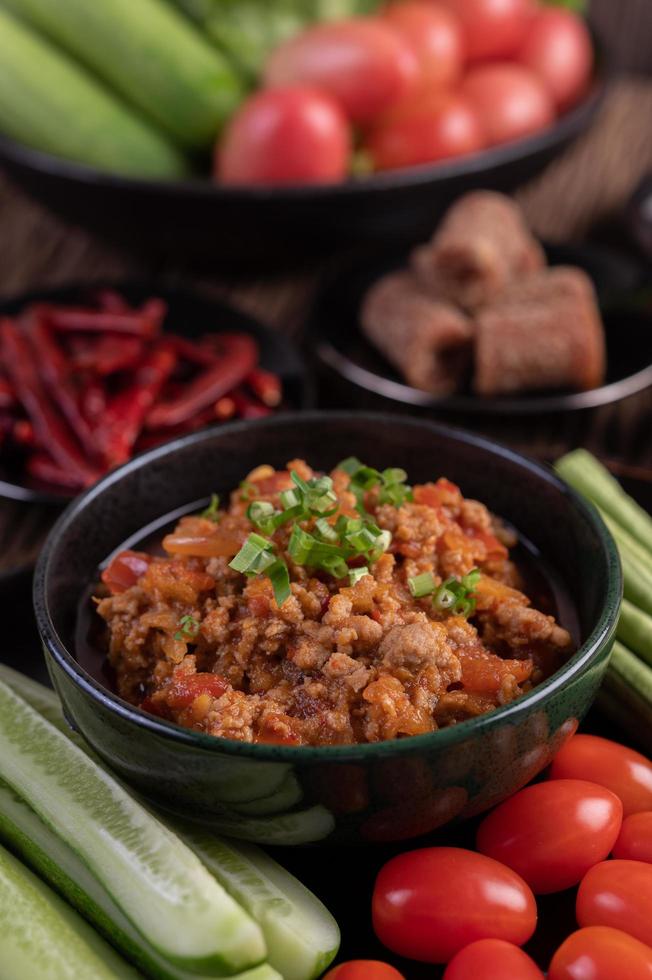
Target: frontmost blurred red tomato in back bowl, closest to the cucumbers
[[285, 136]]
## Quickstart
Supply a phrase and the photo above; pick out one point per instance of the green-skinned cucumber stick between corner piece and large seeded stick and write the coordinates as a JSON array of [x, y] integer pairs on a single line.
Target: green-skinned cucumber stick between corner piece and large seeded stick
[[55, 862]]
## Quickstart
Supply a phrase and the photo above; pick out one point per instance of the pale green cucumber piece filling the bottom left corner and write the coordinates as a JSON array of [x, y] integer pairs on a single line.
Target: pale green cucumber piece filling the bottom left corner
[[41, 938]]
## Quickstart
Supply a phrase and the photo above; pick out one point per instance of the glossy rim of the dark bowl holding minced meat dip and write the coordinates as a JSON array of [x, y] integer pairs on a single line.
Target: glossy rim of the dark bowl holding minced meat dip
[[601, 634]]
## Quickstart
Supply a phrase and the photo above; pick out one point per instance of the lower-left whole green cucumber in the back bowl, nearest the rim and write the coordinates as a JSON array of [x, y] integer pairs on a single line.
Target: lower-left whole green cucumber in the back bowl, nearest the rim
[[51, 104]]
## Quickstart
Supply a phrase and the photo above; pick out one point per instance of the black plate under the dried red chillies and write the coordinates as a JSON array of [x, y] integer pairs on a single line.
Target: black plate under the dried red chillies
[[189, 313]]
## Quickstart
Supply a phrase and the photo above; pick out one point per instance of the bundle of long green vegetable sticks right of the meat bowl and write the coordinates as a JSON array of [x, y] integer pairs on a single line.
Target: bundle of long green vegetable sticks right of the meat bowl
[[627, 691]]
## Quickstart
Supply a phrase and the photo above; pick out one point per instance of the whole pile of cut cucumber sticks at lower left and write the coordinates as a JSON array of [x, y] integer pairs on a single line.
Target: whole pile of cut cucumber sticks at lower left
[[178, 905]]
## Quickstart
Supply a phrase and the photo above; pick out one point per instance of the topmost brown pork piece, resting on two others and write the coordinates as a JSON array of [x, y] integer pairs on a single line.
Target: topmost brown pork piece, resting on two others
[[481, 246]]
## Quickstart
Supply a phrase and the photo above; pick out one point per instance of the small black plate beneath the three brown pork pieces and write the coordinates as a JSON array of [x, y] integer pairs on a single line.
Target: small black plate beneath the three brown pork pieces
[[343, 351]]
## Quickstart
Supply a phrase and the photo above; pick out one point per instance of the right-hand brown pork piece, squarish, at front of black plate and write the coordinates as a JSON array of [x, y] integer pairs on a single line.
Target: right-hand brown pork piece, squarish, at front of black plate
[[544, 332]]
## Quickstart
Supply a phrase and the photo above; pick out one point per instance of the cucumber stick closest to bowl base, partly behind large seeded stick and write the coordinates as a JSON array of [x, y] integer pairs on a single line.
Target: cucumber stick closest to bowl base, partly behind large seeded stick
[[302, 936]]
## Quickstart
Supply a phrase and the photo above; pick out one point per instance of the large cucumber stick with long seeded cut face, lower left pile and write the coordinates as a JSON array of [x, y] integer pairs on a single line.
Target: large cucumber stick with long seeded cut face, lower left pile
[[159, 884]]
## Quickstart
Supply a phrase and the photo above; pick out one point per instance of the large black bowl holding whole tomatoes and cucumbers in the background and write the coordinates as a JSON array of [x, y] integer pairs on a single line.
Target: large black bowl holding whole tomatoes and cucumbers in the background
[[264, 228]]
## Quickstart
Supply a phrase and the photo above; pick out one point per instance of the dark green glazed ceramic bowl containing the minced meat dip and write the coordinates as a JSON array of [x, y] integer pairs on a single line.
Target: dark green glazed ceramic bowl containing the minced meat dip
[[374, 792]]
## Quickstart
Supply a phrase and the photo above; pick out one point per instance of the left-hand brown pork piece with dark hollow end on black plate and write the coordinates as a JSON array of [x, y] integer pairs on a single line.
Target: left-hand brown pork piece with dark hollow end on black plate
[[427, 340]]
